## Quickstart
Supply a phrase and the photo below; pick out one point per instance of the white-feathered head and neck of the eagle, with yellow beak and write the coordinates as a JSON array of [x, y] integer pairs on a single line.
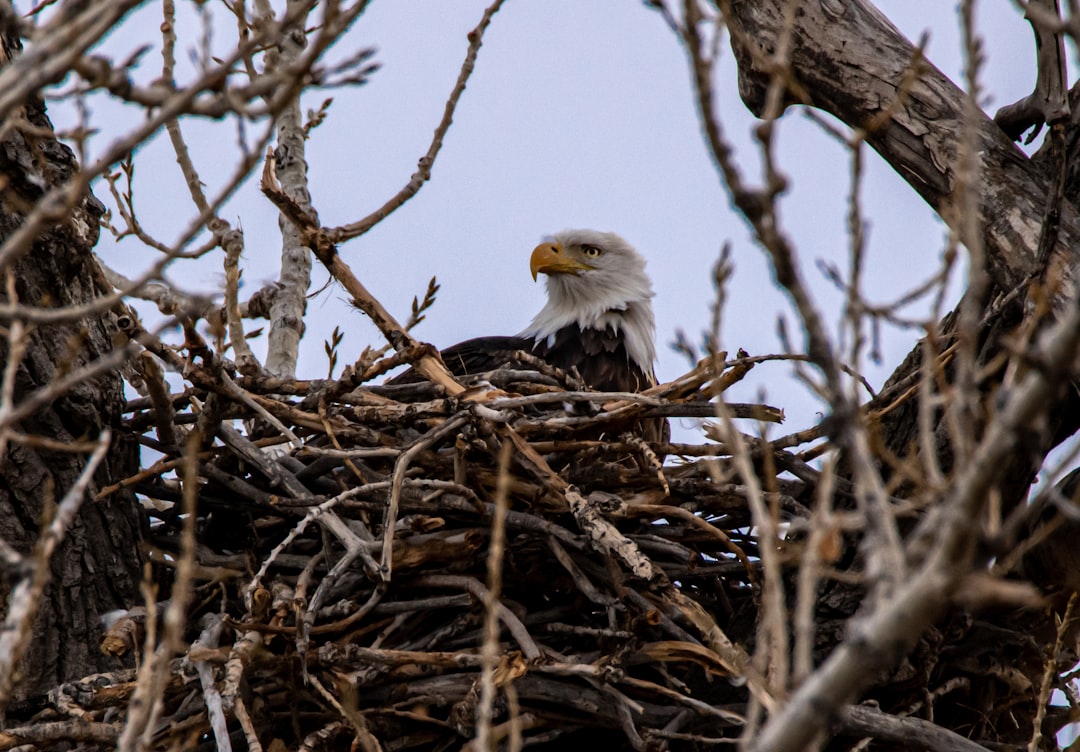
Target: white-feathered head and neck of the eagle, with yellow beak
[[596, 280]]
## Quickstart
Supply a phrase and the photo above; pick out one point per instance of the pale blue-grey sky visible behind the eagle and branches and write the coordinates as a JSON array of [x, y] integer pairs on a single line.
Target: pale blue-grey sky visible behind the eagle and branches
[[579, 115]]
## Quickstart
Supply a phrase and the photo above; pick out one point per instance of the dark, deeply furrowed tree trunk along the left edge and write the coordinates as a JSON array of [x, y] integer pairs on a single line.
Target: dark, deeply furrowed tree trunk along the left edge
[[98, 568]]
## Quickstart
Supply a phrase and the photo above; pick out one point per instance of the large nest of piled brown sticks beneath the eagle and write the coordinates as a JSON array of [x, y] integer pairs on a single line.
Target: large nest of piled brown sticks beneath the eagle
[[353, 559]]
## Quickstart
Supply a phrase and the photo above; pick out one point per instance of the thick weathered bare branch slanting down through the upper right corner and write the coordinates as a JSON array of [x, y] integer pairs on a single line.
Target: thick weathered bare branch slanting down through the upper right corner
[[854, 62]]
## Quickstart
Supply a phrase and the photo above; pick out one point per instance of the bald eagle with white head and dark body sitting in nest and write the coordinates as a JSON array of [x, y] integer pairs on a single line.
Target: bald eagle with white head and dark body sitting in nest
[[598, 320]]
